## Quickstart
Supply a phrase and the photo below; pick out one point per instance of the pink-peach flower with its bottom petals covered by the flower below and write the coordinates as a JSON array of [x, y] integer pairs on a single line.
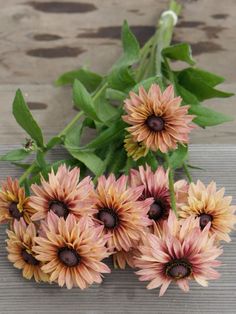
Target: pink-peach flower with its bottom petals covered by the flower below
[[63, 194]]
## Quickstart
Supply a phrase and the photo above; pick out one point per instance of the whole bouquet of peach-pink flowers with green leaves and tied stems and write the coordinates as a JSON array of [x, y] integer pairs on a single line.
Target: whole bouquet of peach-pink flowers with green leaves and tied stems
[[116, 195]]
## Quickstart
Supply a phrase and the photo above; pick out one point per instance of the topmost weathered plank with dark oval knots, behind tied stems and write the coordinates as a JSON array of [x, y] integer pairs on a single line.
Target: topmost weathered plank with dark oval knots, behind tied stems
[[40, 40]]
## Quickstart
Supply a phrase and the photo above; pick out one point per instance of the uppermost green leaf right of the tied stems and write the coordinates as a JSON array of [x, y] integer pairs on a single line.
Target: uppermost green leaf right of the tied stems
[[180, 52]]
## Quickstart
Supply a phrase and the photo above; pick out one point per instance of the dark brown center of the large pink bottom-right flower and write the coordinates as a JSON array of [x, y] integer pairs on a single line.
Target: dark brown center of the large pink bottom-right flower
[[178, 269]]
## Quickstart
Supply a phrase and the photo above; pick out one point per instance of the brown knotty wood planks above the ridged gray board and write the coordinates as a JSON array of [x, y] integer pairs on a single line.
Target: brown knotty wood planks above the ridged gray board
[[40, 39]]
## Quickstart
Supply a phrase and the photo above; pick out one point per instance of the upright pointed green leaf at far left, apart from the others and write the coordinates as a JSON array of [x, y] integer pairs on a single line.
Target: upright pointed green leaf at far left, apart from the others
[[25, 119]]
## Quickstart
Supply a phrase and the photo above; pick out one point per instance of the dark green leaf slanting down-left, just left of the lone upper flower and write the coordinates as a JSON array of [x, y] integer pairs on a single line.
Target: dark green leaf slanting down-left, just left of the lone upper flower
[[107, 136]]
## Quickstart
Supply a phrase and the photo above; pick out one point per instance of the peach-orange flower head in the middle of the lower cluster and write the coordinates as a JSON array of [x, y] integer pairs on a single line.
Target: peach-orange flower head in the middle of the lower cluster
[[119, 210]]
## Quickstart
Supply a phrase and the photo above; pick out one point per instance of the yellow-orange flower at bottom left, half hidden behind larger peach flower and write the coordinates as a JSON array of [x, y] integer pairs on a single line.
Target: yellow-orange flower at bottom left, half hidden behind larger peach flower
[[19, 246]]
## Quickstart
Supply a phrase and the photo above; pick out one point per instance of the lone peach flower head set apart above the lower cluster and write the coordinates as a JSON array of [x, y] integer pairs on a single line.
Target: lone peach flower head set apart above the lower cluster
[[157, 119]]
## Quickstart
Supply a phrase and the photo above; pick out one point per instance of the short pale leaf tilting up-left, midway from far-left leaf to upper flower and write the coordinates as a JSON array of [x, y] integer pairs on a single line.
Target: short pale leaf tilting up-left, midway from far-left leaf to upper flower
[[83, 100]]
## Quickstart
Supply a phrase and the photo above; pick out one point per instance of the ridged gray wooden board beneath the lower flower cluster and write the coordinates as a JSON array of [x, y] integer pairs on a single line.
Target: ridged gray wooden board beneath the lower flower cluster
[[121, 292]]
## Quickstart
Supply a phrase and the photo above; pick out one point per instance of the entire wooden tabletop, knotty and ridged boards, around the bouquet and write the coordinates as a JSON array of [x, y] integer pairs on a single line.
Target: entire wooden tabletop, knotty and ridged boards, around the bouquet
[[39, 41]]
